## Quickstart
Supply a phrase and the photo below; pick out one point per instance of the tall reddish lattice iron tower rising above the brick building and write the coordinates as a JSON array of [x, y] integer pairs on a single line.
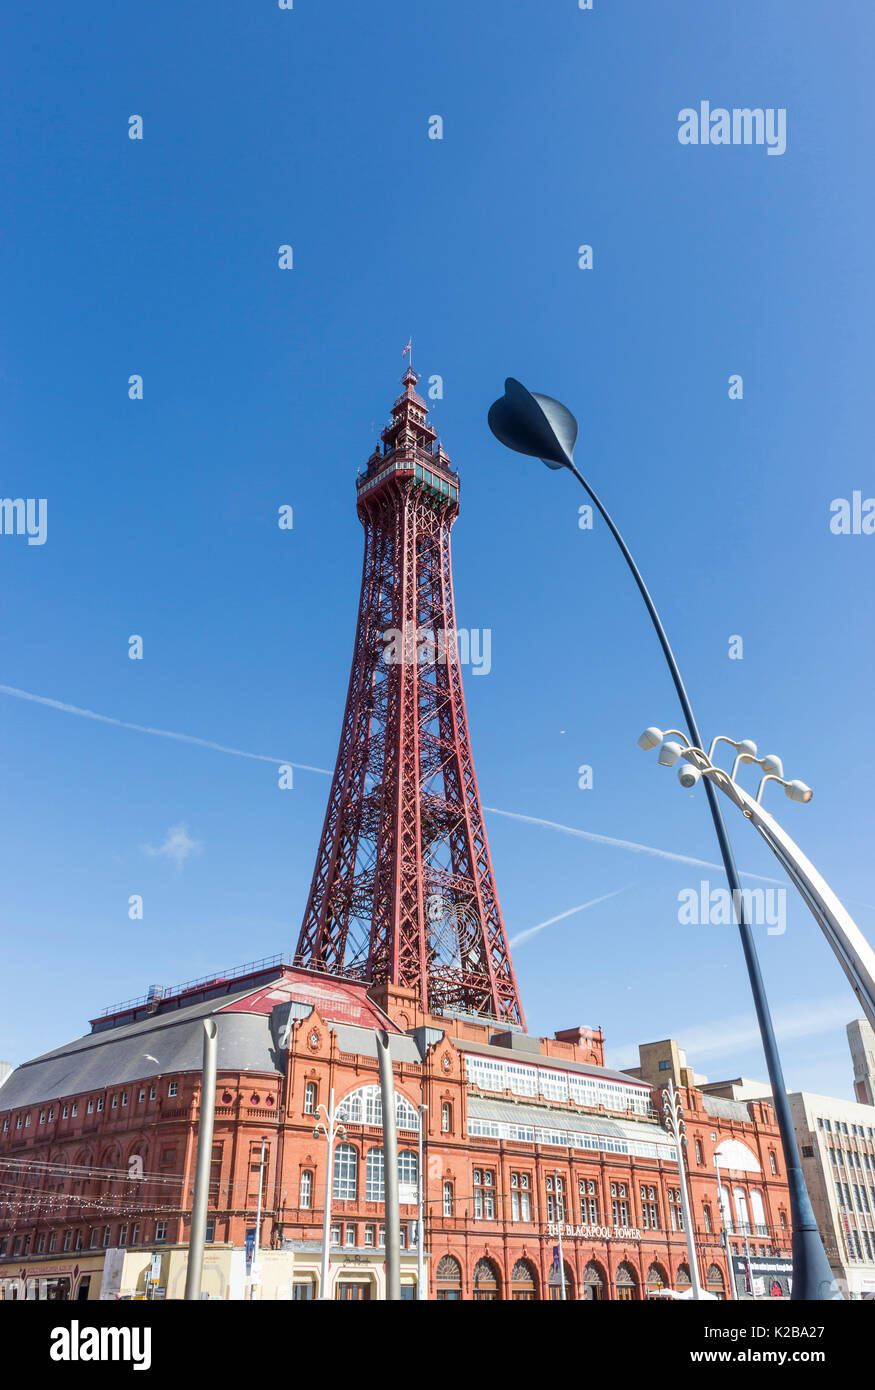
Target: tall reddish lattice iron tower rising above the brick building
[[404, 890]]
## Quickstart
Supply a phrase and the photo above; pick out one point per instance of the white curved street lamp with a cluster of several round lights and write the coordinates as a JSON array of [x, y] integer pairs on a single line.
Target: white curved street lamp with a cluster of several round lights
[[851, 947]]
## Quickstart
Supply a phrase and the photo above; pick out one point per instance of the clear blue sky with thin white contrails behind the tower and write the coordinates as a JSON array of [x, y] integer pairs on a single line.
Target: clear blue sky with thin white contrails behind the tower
[[266, 387]]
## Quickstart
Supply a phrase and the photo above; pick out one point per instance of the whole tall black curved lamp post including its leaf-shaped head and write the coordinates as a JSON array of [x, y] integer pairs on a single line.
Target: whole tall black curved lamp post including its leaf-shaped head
[[545, 429]]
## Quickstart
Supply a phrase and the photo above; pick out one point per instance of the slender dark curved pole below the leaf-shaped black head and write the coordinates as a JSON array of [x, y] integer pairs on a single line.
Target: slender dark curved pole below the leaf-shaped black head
[[813, 1278]]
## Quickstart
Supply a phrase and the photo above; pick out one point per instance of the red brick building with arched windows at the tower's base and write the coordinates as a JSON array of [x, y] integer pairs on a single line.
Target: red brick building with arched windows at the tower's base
[[98, 1145]]
